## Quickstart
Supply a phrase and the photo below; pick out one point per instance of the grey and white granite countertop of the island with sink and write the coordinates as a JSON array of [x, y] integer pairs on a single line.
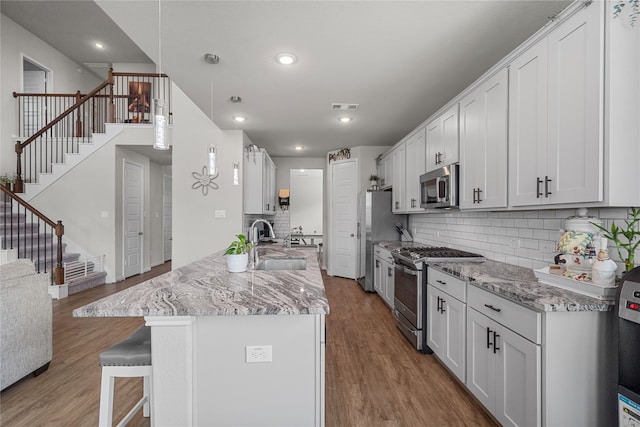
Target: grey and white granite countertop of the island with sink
[[206, 288]]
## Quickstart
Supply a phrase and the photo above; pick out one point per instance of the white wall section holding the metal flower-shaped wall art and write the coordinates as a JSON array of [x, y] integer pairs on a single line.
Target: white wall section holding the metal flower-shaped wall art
[[196, 232]]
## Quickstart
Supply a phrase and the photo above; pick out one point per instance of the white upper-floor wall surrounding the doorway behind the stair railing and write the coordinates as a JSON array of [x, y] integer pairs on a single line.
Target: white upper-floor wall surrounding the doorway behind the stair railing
[[68, 77]]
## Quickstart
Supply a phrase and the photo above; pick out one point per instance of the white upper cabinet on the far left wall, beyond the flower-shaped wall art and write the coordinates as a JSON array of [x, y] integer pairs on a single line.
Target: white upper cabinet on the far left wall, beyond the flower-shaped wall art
[[259, 183]]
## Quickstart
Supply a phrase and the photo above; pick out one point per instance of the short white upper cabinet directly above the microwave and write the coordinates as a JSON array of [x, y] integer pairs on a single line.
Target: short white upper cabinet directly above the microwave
[[443, 139]]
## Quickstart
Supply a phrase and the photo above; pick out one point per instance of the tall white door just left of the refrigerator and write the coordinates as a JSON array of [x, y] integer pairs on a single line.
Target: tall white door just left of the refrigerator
[[344, 201]]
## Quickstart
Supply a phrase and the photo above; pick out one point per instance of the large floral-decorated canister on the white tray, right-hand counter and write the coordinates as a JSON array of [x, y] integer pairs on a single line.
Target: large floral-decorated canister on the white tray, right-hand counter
[[578, 243]]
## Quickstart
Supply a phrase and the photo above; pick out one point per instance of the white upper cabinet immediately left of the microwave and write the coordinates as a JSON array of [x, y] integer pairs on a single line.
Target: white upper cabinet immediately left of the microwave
[[415, 152]]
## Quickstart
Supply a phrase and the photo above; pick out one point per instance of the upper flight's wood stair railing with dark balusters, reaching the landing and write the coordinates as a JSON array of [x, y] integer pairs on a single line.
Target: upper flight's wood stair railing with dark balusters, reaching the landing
[[123, 97]]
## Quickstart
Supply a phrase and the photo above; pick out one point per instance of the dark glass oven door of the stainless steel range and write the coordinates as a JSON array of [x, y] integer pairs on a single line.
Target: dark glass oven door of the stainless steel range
[[408, 302]]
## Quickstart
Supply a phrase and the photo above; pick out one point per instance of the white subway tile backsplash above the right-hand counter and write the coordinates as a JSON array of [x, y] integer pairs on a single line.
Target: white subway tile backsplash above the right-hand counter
[[524, 238]]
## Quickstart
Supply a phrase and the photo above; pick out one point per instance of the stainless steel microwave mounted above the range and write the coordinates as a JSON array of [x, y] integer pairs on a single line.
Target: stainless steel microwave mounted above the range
[[439, 188]]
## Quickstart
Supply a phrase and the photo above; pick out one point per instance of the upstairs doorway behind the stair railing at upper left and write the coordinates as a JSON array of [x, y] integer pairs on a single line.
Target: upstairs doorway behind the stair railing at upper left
[[35, 79]]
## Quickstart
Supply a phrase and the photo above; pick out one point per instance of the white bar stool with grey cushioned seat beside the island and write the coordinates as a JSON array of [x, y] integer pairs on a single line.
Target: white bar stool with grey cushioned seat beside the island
[[128, 358]]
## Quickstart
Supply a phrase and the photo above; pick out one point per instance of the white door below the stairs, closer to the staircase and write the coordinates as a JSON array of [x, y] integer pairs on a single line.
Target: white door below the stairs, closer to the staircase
[[133, 228]]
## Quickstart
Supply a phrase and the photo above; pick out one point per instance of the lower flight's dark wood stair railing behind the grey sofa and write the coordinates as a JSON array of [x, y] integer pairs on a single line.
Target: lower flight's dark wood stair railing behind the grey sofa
[[21, 230]]
